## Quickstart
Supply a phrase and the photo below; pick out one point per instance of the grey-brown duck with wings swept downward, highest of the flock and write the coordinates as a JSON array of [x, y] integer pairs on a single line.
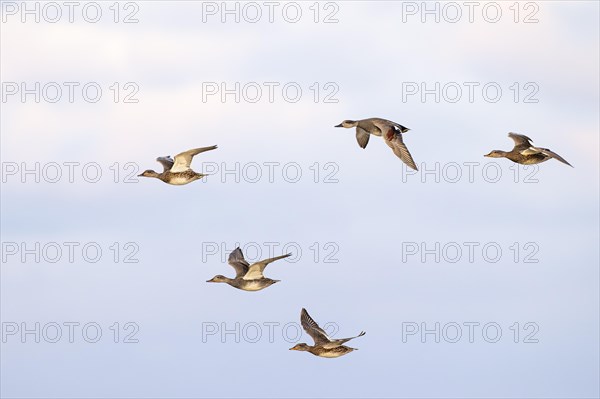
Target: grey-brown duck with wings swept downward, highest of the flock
[[391, 132]]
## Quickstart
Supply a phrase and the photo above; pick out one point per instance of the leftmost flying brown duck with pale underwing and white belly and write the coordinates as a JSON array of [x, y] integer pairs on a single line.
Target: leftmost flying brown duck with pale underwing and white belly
[[178, 171]]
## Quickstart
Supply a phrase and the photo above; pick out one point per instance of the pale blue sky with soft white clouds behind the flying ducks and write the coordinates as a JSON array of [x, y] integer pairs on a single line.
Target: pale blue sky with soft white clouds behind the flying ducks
[[369, 213]]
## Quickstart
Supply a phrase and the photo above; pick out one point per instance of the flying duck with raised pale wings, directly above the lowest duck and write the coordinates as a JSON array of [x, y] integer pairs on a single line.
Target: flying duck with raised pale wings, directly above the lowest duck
[[248, 277]]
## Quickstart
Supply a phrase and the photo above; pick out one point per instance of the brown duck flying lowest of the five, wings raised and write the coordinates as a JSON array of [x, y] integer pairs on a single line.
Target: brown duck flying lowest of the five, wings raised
[[324, 346]]
